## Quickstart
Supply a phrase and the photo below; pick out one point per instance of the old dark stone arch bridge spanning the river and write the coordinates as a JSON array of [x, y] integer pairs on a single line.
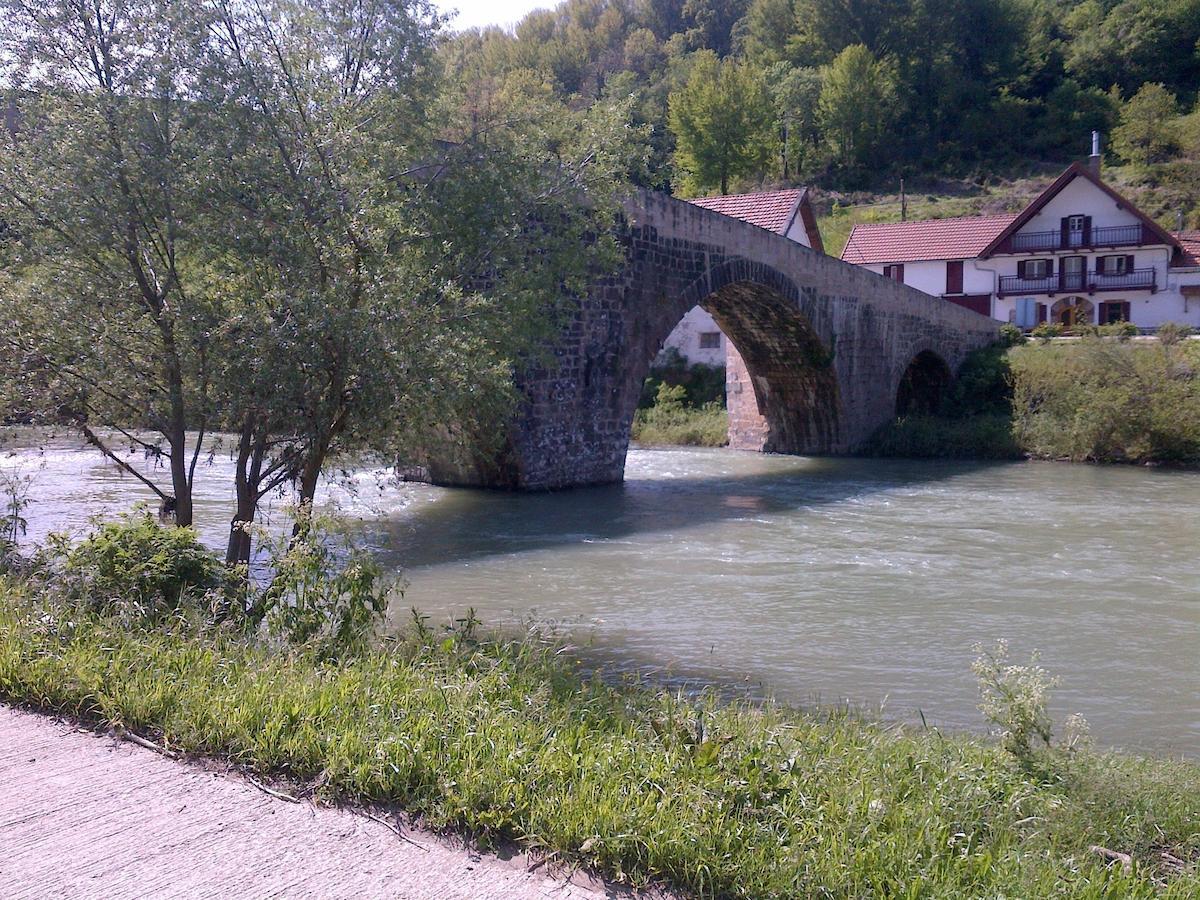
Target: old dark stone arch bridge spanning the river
[[823, 352]]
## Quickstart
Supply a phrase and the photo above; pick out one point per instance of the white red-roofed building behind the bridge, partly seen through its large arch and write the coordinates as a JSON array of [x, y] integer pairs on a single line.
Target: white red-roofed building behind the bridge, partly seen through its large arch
[[788, 213]]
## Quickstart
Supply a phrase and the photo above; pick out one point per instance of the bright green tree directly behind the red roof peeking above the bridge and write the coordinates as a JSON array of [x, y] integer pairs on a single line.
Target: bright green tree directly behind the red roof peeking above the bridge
[[723, 123]]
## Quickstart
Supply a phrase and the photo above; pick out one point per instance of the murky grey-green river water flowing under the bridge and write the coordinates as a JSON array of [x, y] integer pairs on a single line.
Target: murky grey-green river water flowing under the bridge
[[856, 581]]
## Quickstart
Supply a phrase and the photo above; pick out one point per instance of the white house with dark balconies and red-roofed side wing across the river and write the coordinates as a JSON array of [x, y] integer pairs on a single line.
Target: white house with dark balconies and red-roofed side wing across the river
[[1081, 253]]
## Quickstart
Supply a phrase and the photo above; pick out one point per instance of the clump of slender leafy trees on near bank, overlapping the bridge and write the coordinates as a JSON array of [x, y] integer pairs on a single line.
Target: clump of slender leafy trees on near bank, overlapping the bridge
[[277, 220]]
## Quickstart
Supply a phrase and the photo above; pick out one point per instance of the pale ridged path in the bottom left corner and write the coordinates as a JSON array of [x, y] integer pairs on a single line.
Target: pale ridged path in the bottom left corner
[[83, 815]]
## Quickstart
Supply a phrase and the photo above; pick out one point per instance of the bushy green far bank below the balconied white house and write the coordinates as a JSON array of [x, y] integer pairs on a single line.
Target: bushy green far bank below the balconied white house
[[1094, 400]]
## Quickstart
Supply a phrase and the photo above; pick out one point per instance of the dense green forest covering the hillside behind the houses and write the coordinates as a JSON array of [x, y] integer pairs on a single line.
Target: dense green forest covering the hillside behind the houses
[[854, 94]]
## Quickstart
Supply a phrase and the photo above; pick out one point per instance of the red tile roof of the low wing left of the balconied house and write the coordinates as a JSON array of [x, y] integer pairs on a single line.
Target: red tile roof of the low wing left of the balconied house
[[928, 239]]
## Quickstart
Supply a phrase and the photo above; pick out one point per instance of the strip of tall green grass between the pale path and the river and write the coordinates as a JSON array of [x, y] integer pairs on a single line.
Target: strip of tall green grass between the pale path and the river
[[505, 741]]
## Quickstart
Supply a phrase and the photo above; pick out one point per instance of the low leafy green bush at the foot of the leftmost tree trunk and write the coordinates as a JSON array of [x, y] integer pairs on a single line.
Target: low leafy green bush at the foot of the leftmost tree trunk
[[136, 563]]
